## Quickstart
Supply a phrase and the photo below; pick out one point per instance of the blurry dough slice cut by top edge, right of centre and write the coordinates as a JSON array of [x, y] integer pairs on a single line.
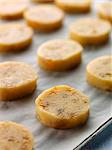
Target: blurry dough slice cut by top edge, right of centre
[[74, 6]]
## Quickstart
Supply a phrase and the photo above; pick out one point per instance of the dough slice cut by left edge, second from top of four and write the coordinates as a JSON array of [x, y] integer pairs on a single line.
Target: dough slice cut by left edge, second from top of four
[[14, 37]]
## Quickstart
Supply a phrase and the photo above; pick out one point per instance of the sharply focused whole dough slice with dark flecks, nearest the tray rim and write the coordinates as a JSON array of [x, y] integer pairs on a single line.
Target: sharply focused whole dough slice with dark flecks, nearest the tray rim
[[62, 107]]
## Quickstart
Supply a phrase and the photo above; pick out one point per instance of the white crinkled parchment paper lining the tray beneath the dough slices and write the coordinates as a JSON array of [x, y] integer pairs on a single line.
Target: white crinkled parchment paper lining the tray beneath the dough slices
[[23, 110]]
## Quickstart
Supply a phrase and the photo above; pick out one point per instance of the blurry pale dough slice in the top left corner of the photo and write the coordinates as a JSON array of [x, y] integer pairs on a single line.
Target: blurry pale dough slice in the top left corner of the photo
[[12, 9]]
